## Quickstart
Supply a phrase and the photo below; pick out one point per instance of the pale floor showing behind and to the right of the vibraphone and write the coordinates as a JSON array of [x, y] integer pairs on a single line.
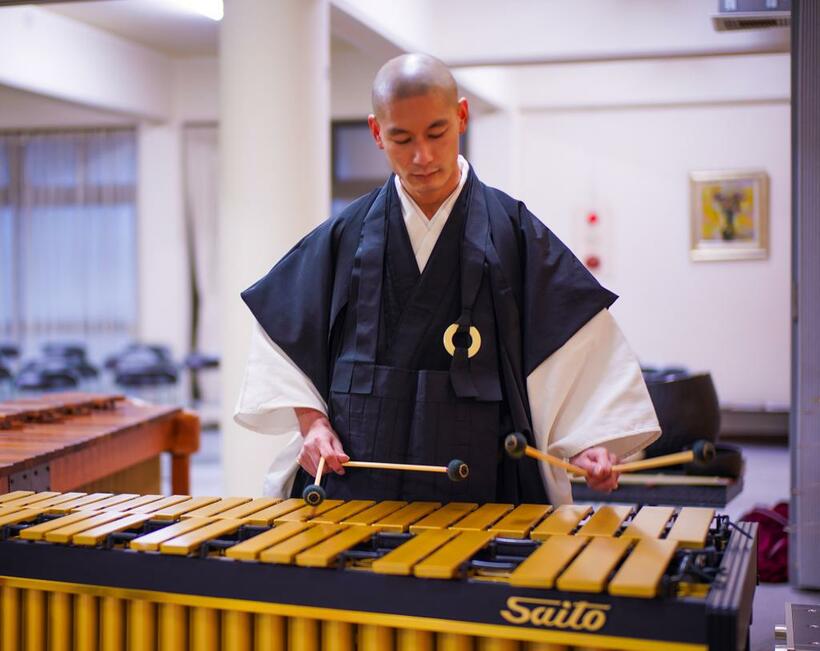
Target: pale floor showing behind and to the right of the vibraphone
[[766, 482]]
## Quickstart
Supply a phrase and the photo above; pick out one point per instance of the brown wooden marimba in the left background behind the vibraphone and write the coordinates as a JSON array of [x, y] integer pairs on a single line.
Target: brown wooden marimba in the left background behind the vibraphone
[[80, 441]]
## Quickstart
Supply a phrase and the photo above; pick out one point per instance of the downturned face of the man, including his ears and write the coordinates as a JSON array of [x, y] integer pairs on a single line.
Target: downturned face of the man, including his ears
[[419, 136]]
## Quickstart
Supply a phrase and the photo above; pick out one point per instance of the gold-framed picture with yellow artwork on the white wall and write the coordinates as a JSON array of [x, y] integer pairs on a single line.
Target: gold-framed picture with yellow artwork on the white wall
[[729, 215]]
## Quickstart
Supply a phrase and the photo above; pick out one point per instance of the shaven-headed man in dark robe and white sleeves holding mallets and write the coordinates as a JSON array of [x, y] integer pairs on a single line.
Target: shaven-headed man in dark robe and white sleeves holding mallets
[[430, 319]]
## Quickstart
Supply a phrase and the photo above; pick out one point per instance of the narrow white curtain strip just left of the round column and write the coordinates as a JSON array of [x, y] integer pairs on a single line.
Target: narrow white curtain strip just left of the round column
[[202, 217]]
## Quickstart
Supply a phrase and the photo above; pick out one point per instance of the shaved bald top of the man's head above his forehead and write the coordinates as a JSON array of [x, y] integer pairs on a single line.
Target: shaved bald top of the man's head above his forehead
[[411, 75]]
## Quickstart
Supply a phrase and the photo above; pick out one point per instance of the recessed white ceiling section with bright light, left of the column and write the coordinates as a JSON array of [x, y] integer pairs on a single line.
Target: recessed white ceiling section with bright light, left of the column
[[152, 23]]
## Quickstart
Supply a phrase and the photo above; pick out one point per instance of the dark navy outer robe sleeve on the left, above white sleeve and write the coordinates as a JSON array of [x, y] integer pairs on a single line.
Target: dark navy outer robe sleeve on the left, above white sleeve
[[297, 301]]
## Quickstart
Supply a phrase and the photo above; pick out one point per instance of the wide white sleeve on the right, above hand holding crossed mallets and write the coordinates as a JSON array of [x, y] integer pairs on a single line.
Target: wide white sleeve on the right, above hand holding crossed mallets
[[589, 392]]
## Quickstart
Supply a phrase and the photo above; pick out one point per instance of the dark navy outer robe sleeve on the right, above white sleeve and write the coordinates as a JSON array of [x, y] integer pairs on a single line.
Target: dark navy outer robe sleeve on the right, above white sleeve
[[558, 296]]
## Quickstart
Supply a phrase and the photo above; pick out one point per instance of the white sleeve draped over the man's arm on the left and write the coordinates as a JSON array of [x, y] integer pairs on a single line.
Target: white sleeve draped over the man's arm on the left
[[273, 385]]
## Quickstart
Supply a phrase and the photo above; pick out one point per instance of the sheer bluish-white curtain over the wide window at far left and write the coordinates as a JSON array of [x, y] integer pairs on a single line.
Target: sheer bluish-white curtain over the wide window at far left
[[68, 238]]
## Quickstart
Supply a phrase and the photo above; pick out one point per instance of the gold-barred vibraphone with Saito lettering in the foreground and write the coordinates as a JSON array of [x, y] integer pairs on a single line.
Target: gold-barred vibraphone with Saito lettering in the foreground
[[104, 571]]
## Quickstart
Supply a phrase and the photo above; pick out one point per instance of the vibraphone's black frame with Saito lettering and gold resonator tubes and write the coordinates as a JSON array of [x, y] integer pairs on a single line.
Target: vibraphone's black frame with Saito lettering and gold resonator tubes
[[193, 602]]
